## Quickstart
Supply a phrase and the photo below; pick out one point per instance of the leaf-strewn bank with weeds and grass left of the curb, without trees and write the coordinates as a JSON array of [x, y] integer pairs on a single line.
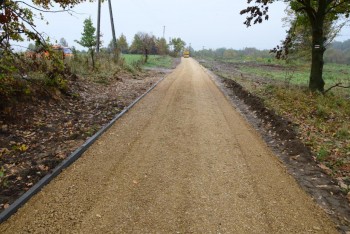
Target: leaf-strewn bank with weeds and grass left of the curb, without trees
[[75, 95]]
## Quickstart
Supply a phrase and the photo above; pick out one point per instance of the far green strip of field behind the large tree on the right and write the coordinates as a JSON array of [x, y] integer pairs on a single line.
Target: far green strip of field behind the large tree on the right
[[264, 65]]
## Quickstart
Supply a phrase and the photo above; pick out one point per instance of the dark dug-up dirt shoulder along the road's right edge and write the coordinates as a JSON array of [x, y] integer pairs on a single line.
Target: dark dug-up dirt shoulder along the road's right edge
[[281, 136]]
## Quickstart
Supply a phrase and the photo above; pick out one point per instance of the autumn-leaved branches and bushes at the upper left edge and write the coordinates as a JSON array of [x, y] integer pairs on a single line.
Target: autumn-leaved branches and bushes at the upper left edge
[[17, 24]]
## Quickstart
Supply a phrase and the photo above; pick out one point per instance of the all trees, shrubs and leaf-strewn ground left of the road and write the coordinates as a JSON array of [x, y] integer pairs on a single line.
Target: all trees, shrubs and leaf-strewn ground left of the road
[[53, 97]]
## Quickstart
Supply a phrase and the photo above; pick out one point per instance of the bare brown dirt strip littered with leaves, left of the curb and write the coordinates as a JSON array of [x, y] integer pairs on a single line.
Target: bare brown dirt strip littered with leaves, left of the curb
[[36, 134]]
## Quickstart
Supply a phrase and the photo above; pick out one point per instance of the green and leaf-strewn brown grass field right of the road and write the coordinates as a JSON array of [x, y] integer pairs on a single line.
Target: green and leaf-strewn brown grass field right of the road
[[323, 121]]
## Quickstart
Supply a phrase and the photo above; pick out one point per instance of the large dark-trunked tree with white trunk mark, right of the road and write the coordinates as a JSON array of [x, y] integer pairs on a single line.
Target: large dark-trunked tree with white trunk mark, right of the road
[[317, 16]]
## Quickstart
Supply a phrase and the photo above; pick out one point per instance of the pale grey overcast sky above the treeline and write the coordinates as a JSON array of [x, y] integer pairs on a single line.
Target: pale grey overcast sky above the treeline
[[203, 23]]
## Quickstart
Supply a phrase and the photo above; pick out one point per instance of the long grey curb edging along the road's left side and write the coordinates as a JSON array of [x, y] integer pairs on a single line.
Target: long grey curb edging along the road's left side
[[12, 209]]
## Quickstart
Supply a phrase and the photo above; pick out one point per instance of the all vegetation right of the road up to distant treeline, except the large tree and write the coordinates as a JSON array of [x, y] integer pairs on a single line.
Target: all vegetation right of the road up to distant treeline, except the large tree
[[322, 120]]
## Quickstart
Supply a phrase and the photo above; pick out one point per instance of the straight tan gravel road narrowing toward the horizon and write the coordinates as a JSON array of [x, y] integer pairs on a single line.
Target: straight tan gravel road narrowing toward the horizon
[[181, 161]]
